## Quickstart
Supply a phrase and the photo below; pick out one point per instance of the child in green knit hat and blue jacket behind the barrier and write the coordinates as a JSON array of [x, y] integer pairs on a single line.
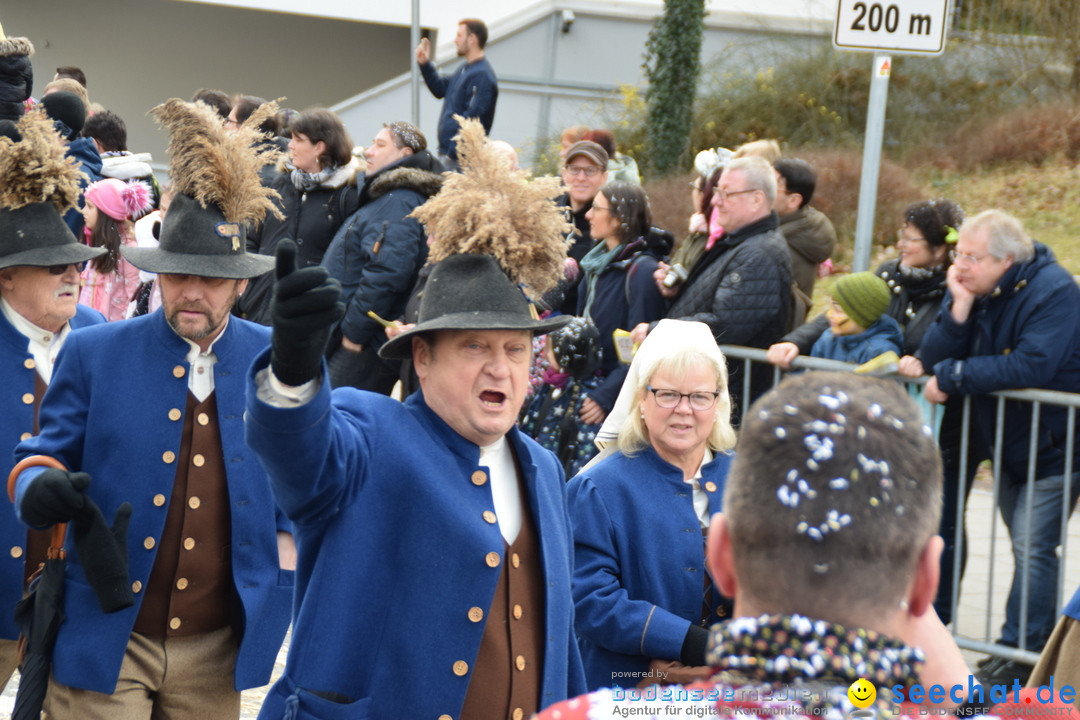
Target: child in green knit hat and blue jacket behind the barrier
[[859, 331]]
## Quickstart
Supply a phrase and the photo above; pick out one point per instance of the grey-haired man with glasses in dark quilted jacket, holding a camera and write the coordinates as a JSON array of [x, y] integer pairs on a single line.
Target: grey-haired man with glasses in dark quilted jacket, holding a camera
[[741, 288]]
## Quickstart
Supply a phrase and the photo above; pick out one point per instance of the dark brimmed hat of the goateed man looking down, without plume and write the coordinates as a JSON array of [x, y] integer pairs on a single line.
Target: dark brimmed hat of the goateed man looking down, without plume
[[199, 241]]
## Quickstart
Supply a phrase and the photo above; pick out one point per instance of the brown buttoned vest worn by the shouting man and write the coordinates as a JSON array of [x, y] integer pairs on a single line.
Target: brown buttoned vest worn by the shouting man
[[509, 670]]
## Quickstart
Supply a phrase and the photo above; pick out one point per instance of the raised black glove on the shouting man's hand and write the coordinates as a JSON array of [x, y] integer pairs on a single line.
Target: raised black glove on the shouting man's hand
[[306, 305]]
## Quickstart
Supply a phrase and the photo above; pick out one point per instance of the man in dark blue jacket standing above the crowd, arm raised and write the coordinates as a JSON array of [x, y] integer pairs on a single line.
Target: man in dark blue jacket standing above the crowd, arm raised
[[471, 91]]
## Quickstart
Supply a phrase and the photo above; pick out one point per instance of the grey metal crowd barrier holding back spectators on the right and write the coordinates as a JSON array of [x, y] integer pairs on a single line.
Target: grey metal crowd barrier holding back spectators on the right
[[1037, 399]]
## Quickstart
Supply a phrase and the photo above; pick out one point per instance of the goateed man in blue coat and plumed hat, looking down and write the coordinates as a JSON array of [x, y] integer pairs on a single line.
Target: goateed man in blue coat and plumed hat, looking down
[[148, 412]]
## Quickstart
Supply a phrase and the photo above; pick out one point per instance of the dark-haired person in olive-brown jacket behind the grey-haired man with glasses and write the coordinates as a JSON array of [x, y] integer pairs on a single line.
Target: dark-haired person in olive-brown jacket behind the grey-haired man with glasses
[[811, 235]]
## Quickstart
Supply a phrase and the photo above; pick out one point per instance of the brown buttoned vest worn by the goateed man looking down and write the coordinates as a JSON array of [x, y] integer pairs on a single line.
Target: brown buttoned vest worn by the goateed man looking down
[[191, 586]]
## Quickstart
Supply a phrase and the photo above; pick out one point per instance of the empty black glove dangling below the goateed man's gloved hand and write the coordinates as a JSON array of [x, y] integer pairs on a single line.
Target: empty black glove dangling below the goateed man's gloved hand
[[103, 552]]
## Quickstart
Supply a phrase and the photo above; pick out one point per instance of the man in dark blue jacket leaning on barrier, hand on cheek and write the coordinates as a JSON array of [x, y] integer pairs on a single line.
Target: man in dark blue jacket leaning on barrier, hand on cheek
[[1011, 319]]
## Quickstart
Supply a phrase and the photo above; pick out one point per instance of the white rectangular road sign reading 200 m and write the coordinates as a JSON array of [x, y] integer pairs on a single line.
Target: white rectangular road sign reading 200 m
[[900, 26]]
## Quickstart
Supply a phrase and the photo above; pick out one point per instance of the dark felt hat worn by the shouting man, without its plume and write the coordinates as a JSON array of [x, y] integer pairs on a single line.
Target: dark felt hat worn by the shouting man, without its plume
[[470, 293]]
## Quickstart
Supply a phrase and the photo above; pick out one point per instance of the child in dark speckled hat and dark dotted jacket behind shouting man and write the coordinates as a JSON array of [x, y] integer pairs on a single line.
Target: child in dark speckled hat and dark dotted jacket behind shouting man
[[574, 355]]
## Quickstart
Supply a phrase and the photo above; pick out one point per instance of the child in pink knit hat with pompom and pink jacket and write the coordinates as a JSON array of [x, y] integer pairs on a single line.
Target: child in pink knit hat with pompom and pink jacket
[[111, 282]]
